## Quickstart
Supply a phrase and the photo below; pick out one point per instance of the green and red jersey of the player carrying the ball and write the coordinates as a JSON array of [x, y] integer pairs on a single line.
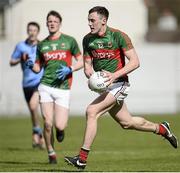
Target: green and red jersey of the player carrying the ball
[[107, 51]]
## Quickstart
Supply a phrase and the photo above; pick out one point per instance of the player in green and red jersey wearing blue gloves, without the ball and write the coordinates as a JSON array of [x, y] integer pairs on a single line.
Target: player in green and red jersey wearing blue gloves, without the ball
[[55, 54]]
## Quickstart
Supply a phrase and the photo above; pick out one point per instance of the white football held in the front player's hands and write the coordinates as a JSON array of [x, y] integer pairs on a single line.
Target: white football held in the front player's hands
[[97, 81]]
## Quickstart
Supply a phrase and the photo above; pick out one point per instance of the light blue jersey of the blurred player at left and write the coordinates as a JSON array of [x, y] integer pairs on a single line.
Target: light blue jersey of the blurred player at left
[[30, 78]]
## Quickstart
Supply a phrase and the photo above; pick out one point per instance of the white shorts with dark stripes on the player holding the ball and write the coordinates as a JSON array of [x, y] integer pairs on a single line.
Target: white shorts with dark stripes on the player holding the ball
[[119, 90]]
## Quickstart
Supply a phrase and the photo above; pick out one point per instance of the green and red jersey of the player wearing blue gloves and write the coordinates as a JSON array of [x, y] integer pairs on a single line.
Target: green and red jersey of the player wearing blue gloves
[[53, 52]]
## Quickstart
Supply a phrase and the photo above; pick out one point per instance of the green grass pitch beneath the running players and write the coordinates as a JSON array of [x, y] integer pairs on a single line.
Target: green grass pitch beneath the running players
[[114, 149]]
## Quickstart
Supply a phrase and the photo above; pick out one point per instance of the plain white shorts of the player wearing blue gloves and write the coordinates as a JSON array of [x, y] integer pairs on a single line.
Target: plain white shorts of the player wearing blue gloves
[[49, 94]]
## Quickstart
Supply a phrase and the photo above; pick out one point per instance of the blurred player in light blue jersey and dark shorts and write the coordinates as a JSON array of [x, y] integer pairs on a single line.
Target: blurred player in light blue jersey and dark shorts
[[23, 51]]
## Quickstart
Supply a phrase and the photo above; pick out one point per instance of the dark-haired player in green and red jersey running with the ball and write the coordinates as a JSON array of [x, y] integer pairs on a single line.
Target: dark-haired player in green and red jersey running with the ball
[[105, 49]]
